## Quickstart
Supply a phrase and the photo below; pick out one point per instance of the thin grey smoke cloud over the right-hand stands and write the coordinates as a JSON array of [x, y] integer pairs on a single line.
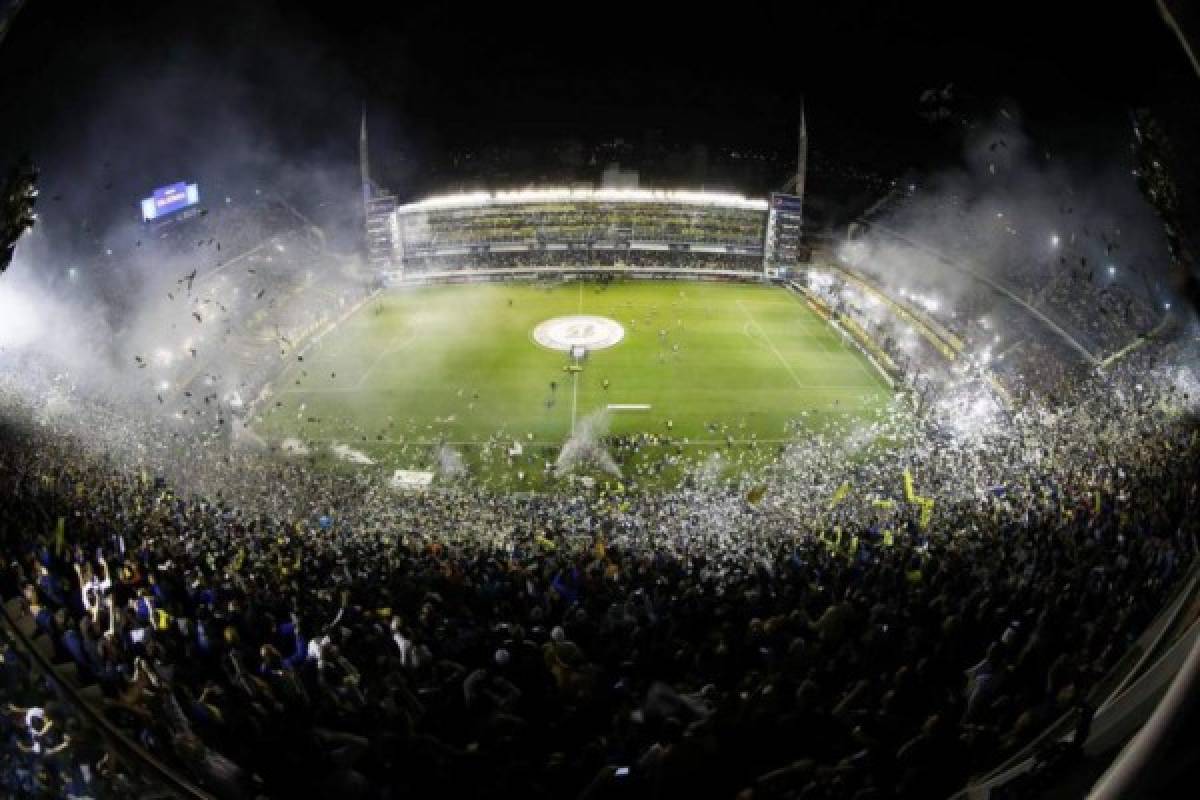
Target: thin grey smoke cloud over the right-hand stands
[[1069, 234]]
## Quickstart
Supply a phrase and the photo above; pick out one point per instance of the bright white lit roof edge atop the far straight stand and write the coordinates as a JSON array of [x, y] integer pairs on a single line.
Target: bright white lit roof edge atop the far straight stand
[[479, 200]]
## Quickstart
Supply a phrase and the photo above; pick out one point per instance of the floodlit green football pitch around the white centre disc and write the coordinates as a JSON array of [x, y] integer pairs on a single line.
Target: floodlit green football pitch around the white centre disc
[[703, 369]]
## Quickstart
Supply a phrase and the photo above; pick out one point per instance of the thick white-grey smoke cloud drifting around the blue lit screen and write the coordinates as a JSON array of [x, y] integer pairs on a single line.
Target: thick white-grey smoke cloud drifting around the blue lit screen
[[247, 107]]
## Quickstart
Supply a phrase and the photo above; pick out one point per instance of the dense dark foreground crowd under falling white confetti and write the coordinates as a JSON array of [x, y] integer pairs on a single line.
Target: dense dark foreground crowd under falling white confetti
[[271, 629]]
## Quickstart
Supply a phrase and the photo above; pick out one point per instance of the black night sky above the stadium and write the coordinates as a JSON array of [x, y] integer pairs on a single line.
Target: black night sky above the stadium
[[136, 94]]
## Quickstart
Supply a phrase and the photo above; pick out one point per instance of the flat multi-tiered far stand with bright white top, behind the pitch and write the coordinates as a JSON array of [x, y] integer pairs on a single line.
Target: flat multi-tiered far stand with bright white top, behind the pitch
[[592, 227]]
